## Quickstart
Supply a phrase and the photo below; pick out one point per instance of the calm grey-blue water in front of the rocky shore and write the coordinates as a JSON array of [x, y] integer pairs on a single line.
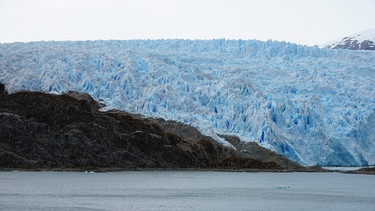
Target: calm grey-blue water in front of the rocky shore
[[185, 190]]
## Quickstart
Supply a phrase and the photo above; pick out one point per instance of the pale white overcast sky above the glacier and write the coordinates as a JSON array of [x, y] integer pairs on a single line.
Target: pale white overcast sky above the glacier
[[306, 22]]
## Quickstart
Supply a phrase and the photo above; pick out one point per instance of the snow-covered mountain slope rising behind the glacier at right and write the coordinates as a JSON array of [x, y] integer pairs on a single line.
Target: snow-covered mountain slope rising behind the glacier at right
[[364, 40]]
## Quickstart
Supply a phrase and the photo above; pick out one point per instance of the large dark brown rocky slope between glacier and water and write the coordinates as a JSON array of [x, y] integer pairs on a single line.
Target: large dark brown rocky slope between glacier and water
[[44, 131]]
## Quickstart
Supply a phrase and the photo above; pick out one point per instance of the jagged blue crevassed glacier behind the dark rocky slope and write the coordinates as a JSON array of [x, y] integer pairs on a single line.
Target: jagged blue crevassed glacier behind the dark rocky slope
[[315, 106]]
